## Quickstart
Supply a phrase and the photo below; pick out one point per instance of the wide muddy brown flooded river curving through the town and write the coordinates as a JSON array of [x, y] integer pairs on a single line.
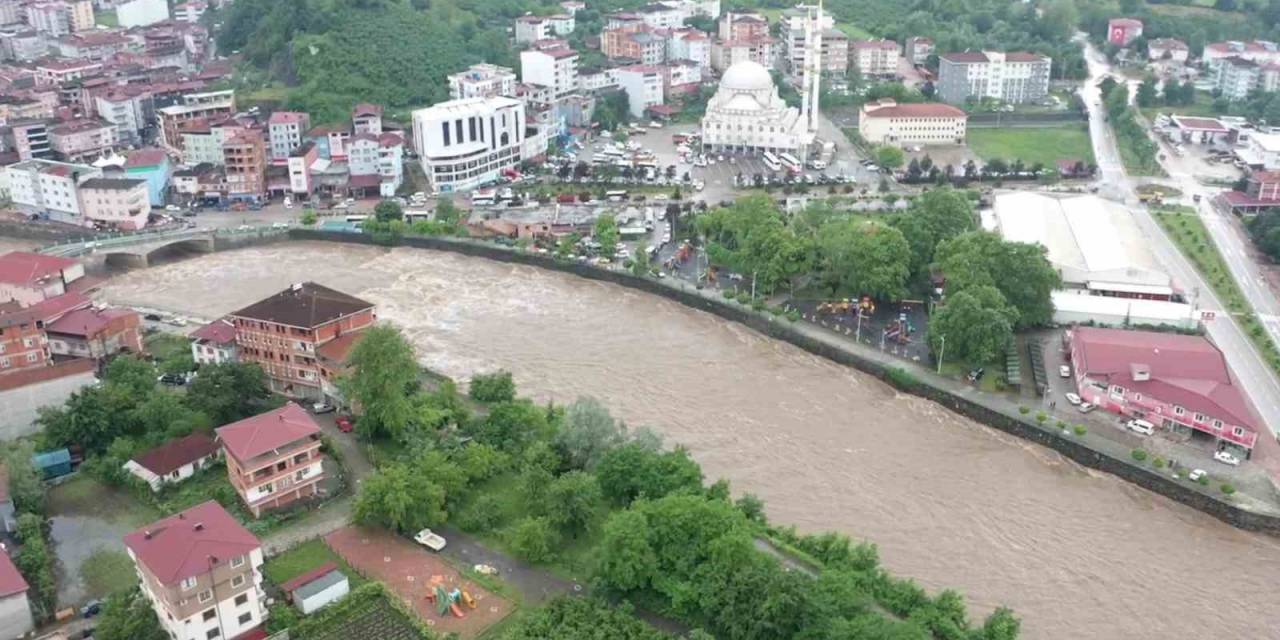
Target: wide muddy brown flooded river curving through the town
[[1077, 555]]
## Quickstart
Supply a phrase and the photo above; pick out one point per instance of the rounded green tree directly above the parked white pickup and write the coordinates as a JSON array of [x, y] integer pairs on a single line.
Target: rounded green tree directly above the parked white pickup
[[400, 499]]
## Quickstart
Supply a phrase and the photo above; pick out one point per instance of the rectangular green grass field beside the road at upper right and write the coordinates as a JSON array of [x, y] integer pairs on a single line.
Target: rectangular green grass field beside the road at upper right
[[1032, 145]]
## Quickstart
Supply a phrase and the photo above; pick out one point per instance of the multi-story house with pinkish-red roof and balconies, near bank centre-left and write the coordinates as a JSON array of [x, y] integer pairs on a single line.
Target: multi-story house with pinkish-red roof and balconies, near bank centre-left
[[273, 459]]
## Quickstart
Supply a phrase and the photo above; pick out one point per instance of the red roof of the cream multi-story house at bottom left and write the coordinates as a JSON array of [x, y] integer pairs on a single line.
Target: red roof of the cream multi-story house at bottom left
[[190, 543]]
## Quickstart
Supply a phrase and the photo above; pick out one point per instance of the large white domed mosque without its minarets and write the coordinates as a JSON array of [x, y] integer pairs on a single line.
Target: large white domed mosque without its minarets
[[747, 115]]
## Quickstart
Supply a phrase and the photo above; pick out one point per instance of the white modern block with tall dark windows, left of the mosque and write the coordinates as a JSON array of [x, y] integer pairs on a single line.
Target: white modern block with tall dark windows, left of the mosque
[[465, 144]]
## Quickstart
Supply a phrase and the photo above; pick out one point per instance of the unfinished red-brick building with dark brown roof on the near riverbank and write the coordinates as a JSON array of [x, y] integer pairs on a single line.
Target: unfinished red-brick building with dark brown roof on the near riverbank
[[281, 333]]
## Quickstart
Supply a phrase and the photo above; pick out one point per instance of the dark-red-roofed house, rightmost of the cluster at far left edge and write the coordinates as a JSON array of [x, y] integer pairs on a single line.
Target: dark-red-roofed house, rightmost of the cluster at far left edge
[[95, 333]]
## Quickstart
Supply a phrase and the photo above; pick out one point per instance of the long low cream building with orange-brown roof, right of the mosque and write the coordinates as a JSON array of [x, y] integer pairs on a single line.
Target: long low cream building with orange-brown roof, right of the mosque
[[929, 124]]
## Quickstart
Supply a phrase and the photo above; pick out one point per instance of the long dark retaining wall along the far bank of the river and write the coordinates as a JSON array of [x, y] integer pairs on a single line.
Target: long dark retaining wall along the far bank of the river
[[858, 358]]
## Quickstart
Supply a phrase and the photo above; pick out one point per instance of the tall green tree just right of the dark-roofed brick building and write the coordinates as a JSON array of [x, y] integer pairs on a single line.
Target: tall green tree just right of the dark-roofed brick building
[[382, 382]]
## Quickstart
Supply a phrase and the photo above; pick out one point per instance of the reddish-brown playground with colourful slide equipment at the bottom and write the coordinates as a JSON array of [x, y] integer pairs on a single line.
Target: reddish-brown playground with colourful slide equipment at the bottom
[[446, 601]]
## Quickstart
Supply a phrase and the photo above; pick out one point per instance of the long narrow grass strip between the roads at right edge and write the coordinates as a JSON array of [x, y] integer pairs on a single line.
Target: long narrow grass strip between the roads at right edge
[[1188, 232]]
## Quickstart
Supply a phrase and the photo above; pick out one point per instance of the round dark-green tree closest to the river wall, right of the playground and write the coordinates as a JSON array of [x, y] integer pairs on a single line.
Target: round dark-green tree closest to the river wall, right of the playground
[[973, 327]]
